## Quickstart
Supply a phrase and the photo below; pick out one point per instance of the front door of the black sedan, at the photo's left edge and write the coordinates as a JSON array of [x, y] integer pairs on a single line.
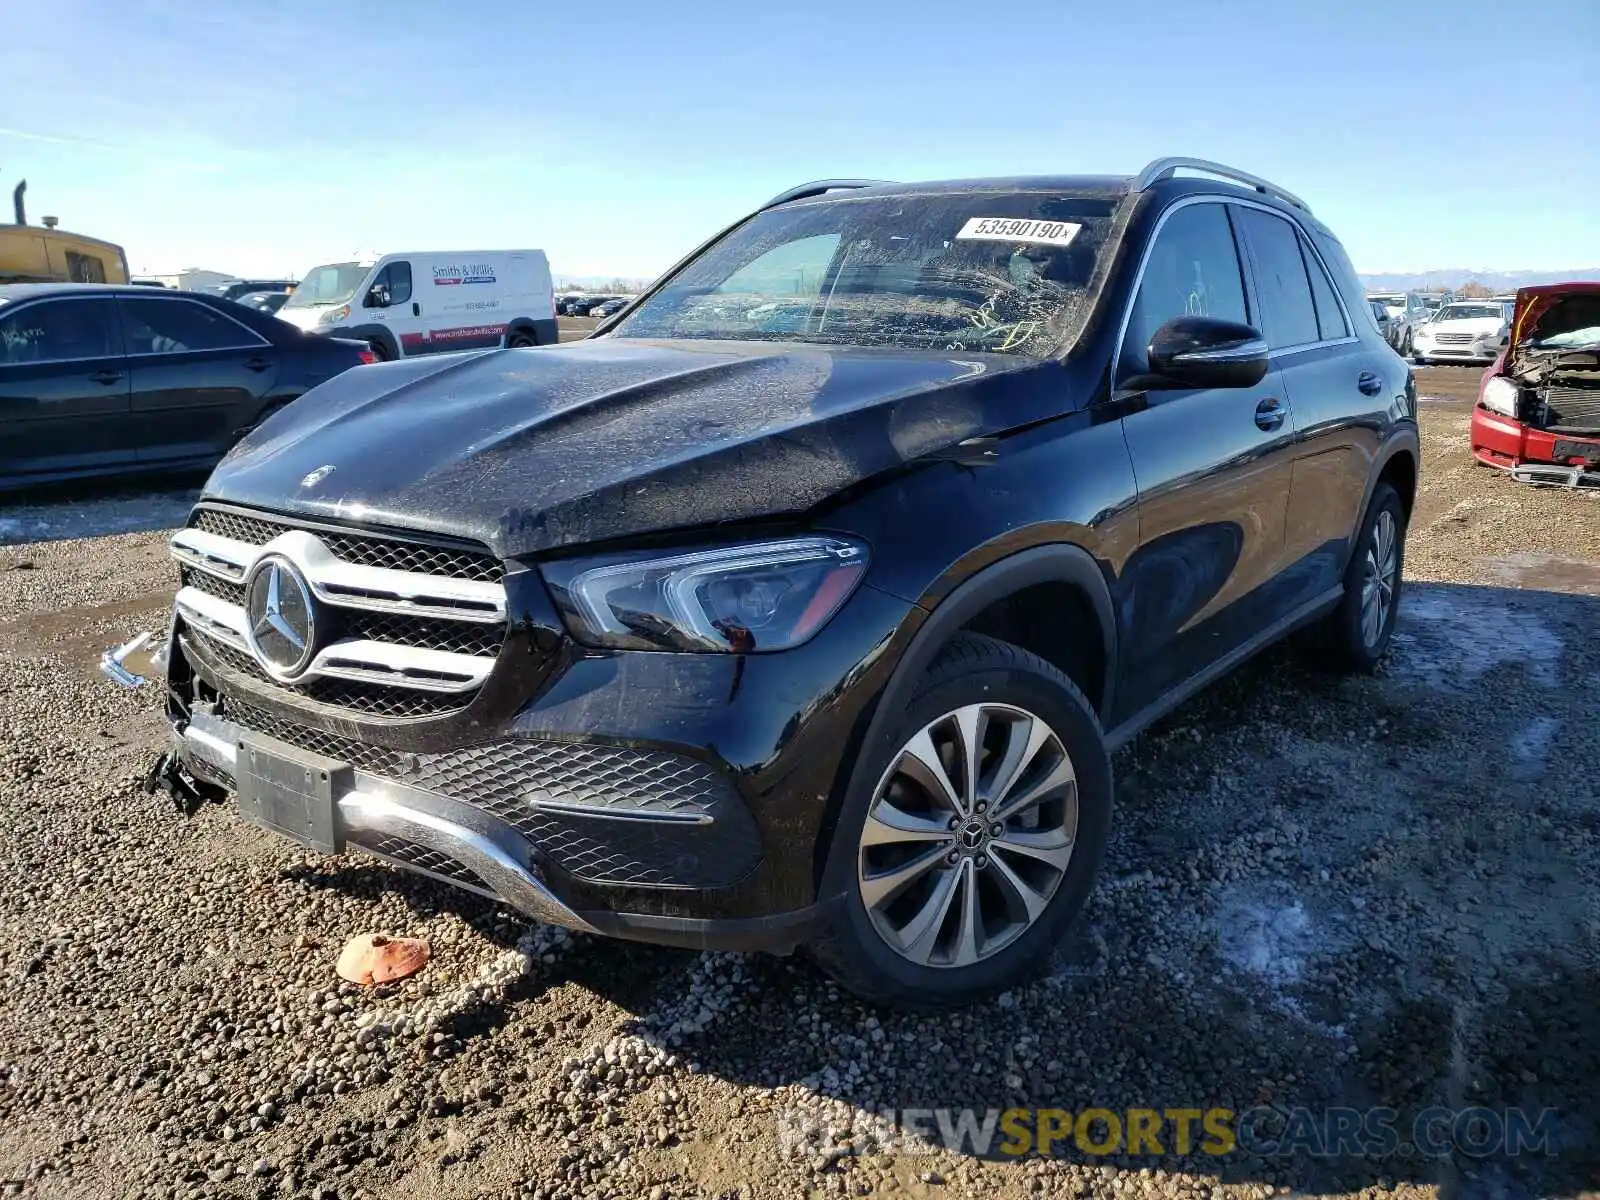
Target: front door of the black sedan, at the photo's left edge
[[63, 388]]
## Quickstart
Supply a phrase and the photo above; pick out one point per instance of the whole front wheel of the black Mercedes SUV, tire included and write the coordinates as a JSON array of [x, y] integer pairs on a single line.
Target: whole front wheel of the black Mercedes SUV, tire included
[[1015, 695]]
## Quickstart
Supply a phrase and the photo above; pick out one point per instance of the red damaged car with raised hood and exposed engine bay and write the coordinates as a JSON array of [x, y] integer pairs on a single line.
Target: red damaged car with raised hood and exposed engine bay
[[1538, 412]]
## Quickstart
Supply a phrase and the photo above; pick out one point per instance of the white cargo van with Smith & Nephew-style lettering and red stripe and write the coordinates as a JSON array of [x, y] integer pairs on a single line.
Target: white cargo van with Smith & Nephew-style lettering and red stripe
[[426, 303]]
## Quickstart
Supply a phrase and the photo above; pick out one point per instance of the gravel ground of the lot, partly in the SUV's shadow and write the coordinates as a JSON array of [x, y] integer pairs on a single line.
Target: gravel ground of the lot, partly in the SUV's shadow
[[1321, 894]]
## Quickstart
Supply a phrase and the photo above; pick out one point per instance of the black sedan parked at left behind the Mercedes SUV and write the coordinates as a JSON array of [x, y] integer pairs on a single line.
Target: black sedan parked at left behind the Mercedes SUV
[[118, 380]]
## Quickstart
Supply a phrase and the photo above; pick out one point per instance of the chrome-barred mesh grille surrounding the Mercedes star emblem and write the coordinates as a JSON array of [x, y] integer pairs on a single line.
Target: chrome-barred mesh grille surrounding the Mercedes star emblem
[[410, 630]]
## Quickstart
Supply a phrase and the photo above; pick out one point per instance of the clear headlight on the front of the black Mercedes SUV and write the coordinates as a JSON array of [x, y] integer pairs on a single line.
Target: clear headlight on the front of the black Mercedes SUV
[[761, 596]]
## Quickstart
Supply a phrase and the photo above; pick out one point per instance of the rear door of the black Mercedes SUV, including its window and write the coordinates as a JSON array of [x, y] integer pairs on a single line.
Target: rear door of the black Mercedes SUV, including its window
[[1337, 385]]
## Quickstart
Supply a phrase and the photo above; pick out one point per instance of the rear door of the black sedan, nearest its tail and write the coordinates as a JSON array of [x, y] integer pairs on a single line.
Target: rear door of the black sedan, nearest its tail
[[198, 375]]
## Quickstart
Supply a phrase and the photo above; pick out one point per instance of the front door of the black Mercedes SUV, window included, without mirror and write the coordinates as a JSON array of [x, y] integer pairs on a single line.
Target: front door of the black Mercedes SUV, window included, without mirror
[[1214, 473]]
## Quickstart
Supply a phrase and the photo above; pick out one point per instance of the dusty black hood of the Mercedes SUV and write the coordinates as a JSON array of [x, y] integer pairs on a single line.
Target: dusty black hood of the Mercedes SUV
[[530, 450]]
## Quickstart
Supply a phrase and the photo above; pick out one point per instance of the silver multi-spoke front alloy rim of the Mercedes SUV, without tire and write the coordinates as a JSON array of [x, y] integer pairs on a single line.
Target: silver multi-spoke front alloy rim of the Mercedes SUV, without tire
[[969, 836]]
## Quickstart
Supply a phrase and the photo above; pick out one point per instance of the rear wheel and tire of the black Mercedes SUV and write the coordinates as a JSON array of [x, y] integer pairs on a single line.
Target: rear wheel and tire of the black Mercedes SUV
[[1348, 639]]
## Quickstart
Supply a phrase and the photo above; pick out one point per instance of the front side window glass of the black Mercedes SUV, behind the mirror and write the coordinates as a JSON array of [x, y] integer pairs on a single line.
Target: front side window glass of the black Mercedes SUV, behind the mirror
[[1193, 271]]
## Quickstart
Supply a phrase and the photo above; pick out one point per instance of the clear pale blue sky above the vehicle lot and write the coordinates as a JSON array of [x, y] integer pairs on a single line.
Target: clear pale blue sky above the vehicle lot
[[263, 137]]
